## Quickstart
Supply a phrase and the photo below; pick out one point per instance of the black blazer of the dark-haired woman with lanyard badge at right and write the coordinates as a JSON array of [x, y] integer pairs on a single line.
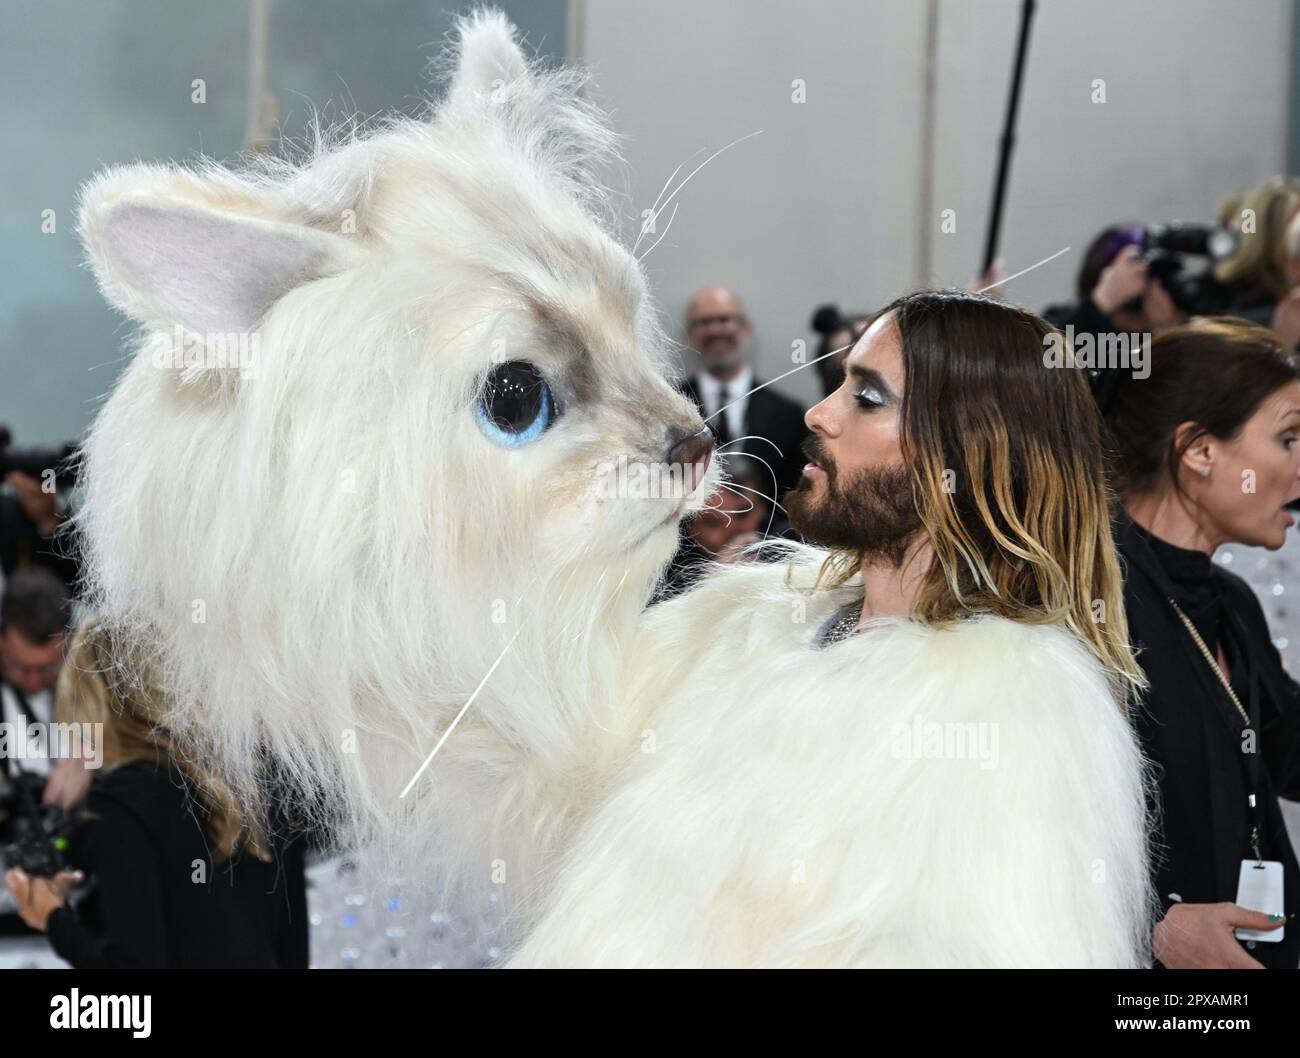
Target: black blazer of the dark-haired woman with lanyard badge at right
[[1193, 735]]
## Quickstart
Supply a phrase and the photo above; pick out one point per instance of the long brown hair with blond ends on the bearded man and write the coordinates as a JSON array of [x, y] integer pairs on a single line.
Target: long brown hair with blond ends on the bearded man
[[1009, 476]]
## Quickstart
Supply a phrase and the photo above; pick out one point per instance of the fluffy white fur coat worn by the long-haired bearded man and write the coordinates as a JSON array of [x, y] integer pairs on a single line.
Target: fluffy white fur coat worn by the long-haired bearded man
[[909, 797]]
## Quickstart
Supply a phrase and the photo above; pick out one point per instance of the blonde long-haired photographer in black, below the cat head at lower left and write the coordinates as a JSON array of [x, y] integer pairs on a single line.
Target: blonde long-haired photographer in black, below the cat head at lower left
[[183, 875]]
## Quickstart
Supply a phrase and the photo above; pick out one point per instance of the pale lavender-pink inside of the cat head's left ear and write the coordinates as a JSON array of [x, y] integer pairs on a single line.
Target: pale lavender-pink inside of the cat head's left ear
[[209, 272]]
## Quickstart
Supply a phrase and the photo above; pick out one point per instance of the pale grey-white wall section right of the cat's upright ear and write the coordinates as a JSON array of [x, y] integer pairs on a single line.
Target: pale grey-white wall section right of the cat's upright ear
[[825, 206]]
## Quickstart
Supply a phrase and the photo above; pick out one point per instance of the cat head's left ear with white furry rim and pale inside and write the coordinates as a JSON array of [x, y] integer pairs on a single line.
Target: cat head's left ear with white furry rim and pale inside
[[207, 253]]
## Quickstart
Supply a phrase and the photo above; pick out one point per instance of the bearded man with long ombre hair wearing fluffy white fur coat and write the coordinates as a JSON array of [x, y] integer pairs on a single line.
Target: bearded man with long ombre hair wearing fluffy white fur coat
[[926, 758]]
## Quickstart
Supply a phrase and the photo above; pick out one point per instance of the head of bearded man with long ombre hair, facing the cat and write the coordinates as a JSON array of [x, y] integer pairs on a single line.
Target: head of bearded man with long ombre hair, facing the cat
[[961, 476]]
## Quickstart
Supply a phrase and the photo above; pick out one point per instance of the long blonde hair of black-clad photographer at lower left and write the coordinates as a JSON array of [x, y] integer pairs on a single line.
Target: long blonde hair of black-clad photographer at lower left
[[106, 683]]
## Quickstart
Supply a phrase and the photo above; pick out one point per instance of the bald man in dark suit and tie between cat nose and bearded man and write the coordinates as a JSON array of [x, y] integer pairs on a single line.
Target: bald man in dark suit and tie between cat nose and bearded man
[[720, 332]]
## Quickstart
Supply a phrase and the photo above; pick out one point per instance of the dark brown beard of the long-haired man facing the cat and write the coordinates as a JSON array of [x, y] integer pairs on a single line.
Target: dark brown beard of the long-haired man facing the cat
[[873, 514]]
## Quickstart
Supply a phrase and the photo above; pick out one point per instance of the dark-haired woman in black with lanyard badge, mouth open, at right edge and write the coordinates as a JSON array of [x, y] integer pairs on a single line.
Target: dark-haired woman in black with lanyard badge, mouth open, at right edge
[[1208, 450]]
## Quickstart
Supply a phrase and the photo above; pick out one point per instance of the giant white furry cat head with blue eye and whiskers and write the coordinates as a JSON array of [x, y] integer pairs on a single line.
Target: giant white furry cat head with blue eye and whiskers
[[367, 437]]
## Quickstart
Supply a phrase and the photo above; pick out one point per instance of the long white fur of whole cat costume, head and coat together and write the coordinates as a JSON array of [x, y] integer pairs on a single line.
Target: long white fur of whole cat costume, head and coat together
[[330, 557]]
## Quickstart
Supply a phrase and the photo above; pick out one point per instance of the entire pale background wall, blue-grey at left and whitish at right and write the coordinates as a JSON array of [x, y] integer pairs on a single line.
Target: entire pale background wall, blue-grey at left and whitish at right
[[826, 205]]
